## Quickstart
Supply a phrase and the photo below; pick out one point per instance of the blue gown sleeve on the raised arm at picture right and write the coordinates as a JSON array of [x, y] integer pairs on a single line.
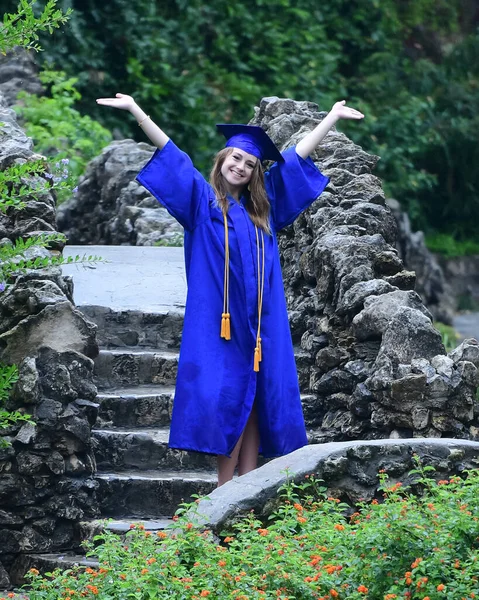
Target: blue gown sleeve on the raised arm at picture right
[[292, 186]]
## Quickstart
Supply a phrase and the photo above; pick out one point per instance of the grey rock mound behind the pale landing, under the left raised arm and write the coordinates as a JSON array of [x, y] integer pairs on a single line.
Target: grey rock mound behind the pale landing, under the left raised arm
[[120, 211]]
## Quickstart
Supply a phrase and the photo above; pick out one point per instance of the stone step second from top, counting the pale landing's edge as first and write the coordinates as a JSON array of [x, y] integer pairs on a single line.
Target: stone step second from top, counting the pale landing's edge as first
[[135, 366]]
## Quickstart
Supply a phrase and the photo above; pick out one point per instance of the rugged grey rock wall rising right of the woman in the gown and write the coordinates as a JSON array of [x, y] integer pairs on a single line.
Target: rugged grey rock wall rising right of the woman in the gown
[[370, 357]]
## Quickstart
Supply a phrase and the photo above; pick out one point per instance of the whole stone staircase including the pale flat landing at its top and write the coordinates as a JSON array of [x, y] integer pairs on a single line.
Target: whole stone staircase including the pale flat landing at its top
[[139, 478]]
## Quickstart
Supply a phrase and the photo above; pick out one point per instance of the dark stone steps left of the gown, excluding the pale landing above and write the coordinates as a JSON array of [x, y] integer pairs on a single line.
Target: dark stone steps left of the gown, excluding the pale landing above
[[139, 476]]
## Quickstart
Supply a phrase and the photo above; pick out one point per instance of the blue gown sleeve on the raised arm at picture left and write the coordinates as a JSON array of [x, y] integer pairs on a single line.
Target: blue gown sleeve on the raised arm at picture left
[[173, 180]]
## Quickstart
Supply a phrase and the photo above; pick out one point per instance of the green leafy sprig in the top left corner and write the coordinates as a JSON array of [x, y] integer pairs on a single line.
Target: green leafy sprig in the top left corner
[[22, 27]]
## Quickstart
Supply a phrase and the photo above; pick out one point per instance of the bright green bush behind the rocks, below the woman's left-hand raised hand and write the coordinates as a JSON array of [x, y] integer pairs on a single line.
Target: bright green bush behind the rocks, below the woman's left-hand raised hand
[[58, 130]]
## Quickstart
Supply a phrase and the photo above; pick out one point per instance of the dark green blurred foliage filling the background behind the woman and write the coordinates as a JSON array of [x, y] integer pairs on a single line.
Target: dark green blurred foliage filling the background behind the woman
[[410, 66]]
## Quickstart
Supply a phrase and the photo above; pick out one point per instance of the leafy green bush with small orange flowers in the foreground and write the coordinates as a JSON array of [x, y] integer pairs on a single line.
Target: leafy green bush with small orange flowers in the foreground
[[415, 546]]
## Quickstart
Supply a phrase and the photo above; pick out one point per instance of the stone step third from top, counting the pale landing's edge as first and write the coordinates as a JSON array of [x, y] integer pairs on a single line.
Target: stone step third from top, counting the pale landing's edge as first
[[140, 406]]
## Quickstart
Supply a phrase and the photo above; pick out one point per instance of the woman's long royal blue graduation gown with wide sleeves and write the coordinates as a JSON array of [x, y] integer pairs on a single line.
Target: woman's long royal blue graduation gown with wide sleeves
[[216, 383]]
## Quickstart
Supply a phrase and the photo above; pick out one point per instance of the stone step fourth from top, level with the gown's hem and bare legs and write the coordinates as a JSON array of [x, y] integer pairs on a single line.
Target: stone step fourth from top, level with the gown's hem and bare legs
[[144, 449]]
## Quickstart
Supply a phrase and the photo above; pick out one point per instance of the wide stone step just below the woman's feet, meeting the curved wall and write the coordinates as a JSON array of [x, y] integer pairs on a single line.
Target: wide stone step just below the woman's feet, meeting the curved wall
[[148, 494]]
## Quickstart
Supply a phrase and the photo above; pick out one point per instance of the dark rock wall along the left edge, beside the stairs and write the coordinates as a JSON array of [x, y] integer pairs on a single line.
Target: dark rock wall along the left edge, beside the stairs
[[46, 486]]
